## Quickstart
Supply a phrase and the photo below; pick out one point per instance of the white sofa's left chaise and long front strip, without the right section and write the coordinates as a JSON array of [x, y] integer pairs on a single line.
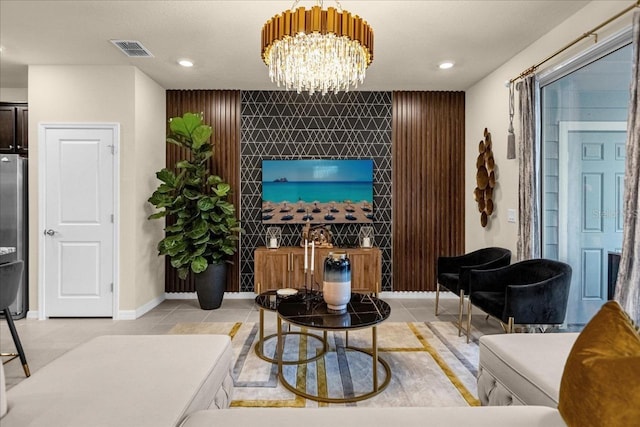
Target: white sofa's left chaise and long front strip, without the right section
[[176, 380]]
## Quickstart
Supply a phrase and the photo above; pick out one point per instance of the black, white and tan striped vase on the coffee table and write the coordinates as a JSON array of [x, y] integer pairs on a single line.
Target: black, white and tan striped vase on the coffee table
[[336, 285]]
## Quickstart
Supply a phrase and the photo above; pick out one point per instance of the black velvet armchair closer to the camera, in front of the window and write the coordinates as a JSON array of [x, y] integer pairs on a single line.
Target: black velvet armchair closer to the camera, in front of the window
[[531, 292]]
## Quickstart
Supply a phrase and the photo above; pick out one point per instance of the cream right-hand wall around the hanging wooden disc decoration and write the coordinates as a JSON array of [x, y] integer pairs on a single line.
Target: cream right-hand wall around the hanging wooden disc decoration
[[487, 107]]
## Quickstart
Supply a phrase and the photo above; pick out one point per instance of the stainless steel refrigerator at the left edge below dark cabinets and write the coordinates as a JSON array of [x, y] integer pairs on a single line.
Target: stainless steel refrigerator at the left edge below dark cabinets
[[14, 210]]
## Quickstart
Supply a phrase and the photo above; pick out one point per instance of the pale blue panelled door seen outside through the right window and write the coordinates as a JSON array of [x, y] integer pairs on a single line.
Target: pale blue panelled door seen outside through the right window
[[591, 209]]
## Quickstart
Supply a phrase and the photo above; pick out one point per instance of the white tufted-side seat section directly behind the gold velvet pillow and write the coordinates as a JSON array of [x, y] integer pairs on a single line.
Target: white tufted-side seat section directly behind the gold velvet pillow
[[522, 369]]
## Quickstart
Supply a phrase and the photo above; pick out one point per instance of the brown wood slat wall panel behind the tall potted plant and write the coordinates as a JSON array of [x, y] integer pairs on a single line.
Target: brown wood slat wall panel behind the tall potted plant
[[221, 109]]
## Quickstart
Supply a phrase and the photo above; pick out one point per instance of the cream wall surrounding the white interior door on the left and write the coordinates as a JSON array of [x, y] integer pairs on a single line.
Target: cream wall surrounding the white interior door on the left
[[119, 94]]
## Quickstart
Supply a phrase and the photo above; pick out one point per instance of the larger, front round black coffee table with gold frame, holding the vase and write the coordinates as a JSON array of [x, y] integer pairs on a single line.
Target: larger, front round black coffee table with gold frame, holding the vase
[[363, 311]]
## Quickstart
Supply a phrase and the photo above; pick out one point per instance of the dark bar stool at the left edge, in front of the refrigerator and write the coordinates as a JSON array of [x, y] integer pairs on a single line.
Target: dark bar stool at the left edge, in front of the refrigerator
[[10, 275]]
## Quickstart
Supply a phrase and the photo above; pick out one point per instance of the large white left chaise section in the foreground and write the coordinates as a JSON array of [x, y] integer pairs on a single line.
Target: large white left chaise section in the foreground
[[126, 380]]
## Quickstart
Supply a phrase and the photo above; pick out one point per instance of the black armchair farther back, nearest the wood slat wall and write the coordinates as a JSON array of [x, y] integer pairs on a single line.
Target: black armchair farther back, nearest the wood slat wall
[[453, 273]]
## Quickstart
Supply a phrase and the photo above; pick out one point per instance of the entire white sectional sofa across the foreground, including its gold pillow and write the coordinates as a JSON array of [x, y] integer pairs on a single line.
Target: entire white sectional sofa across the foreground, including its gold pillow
[[106, 383]]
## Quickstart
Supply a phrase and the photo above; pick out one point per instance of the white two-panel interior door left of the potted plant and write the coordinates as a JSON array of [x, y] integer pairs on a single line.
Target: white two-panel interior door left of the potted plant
[[78, 233]]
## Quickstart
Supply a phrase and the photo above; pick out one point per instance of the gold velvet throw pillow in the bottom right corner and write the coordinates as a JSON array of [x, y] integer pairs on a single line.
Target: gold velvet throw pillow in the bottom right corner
[[600, 384]]
